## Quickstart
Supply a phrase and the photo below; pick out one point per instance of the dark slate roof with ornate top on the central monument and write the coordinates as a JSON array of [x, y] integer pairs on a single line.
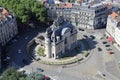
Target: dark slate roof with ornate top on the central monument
[[58, 28]]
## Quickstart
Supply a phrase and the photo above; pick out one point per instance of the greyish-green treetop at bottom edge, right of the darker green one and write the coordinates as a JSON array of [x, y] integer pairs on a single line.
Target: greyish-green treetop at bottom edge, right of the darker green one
[[35, 76]]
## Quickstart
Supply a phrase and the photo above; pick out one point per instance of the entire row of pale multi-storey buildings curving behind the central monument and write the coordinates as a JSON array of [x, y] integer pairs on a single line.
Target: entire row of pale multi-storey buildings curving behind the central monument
[[85, 15]]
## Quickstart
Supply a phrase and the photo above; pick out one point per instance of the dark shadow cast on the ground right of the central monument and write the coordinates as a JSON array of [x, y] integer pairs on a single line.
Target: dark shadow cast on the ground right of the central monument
[[83, 45]]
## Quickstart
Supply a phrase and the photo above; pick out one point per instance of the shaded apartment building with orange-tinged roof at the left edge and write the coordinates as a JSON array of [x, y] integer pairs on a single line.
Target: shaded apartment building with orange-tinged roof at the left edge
[[8, 26]]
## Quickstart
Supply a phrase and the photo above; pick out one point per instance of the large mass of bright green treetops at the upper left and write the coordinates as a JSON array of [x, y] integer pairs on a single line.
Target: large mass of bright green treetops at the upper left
[[26, 10]]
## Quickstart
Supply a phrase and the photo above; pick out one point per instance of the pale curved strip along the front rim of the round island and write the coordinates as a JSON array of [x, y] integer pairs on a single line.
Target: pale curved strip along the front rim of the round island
[[80, 58]]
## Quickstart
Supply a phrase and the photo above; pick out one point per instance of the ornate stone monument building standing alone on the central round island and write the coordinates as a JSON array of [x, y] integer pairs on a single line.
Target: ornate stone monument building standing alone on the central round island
[[60, 37]]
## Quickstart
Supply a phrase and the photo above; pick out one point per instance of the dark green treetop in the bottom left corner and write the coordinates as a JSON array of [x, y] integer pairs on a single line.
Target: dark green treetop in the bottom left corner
[[12, 74]]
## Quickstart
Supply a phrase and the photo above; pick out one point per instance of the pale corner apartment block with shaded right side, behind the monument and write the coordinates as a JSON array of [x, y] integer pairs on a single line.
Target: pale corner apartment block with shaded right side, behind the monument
[[89, 17]]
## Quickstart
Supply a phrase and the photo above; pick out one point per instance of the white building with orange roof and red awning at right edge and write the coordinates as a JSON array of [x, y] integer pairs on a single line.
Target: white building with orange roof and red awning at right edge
[[113, 28]]
